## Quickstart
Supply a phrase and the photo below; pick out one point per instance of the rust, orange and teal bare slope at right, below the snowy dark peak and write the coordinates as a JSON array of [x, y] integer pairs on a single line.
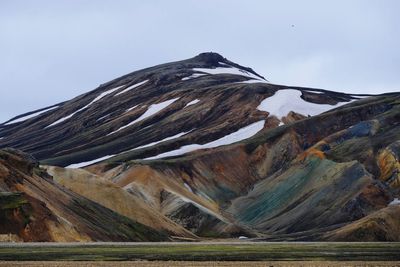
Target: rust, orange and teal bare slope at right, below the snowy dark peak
[[291, 179]]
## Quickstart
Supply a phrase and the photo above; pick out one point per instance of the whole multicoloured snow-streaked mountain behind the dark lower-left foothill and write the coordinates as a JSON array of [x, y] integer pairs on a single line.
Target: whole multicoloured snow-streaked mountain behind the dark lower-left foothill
[[211, 149]]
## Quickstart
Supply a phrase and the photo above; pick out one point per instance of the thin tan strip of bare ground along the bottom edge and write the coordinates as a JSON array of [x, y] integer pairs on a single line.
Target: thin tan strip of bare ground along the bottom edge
[[202, 263]]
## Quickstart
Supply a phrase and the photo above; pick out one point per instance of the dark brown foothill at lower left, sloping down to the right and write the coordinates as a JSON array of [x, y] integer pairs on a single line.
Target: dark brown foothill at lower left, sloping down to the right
[[34, 208]]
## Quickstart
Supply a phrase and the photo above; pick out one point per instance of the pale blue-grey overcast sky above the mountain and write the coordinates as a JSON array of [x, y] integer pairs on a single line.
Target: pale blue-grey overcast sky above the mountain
[[51, 51]]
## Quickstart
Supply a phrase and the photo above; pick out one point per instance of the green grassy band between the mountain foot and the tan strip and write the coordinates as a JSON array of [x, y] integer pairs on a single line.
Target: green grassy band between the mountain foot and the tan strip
[[243, 251]]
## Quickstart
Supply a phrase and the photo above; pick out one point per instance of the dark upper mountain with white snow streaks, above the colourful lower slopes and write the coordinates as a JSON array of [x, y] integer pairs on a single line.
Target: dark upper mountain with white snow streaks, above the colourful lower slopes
[[175, 107]]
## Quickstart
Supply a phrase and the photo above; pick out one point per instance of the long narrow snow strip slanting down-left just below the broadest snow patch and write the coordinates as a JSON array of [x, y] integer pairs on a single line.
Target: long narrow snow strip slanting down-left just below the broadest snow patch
[[234, 137]]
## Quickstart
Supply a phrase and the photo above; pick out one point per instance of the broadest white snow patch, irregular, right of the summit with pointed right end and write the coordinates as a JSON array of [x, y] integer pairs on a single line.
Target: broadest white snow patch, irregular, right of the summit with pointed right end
[[284, 101]]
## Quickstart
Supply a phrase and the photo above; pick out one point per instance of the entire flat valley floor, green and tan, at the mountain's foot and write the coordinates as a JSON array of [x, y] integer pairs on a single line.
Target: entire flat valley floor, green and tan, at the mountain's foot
[[201, 254]]
